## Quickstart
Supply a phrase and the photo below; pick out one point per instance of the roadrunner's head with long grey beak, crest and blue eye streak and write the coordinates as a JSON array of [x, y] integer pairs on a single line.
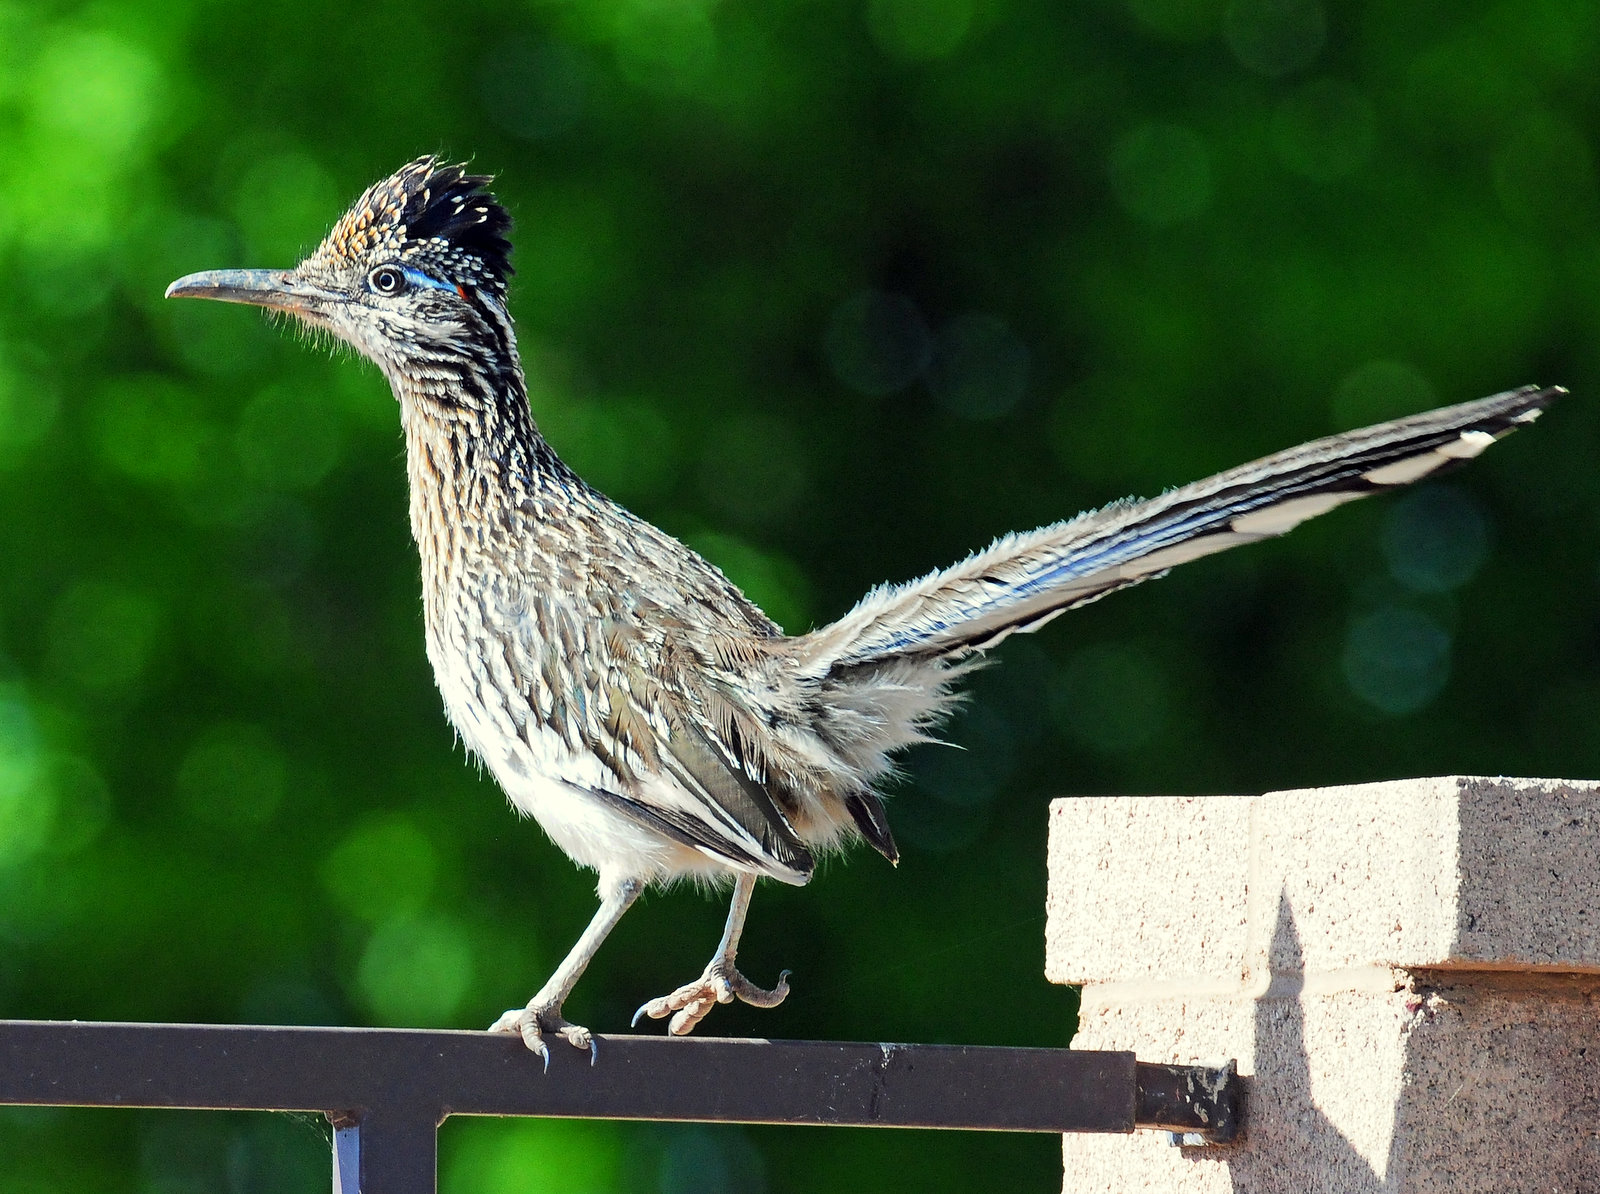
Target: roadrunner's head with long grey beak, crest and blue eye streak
[[414, 276]]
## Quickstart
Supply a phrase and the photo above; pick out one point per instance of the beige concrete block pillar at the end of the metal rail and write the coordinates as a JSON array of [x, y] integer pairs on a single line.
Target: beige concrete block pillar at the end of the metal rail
[[1409, 972]]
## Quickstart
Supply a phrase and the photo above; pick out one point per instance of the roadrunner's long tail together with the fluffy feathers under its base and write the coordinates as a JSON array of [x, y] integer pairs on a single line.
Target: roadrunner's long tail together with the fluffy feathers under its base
[[879, 678]]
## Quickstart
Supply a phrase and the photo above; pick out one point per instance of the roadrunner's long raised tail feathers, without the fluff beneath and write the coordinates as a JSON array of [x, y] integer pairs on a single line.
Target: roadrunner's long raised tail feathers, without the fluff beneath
[[1025, 580]]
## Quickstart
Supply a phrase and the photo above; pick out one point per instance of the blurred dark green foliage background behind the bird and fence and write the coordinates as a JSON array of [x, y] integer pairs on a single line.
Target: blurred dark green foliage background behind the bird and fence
[[836, 290]]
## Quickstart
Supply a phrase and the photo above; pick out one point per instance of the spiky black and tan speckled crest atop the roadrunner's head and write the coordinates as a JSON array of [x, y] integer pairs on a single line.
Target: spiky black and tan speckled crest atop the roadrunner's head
[[428, 214]]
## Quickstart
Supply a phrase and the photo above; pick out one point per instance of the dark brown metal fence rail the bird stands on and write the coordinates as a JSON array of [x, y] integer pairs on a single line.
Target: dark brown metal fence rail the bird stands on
[[388, 1091]]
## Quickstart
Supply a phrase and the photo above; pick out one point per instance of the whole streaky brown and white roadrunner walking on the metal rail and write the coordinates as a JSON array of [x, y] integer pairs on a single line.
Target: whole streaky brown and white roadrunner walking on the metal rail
[[625, 694]]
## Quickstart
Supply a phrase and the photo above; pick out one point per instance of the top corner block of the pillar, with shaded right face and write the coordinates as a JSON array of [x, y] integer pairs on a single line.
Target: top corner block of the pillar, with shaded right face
[[1438, 873]]
